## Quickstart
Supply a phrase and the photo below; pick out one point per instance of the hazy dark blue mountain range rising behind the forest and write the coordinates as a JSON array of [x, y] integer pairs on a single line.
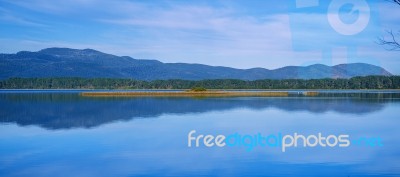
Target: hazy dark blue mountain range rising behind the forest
[[88, 63]]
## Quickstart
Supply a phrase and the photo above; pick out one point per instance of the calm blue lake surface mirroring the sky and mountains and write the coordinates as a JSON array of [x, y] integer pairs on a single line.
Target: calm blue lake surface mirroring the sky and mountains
[[59, 133]]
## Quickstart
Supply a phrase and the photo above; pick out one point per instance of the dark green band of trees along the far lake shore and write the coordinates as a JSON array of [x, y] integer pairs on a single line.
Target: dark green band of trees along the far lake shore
[[367, 82]]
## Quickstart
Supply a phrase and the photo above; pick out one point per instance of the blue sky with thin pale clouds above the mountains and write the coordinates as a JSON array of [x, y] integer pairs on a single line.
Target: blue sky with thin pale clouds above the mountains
[[240, 34]]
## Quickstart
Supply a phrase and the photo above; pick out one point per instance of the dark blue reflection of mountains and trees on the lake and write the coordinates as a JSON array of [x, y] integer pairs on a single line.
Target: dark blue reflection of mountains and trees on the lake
[[55, 111]]
